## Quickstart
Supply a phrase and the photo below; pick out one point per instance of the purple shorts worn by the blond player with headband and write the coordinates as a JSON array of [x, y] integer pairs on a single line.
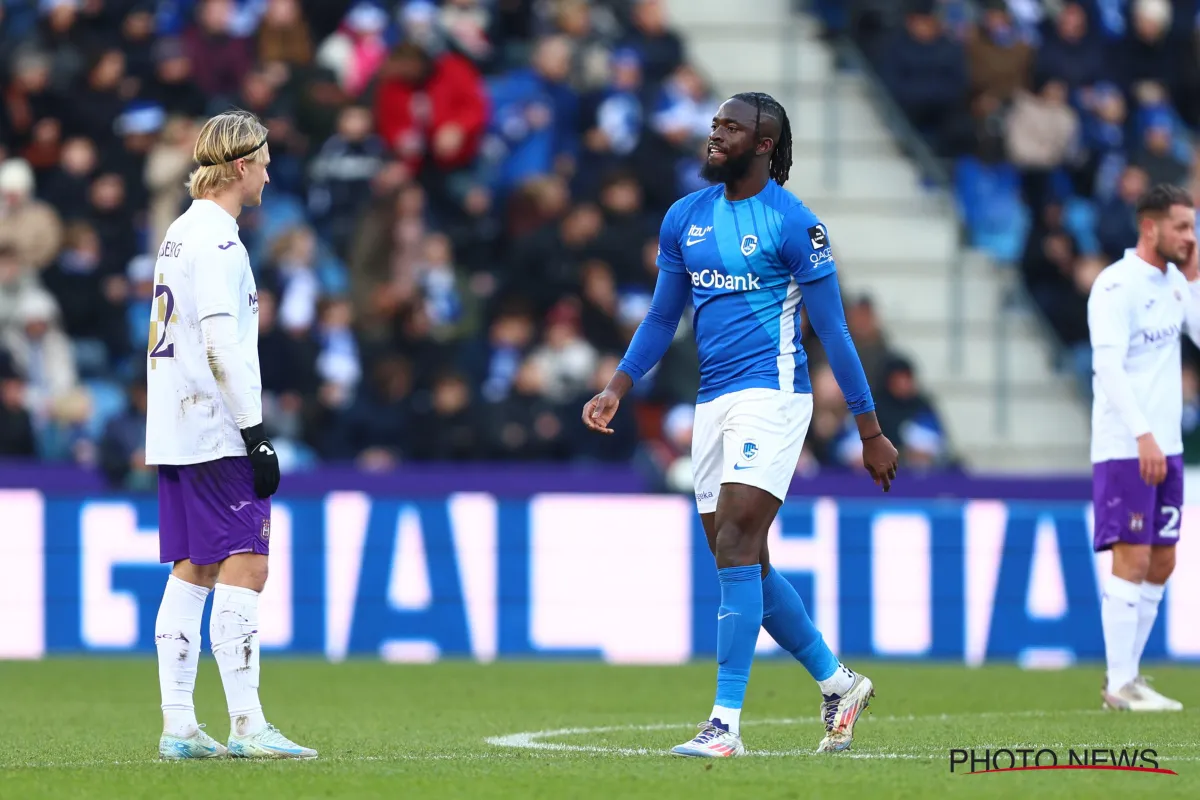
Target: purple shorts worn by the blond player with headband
[[208, 513]]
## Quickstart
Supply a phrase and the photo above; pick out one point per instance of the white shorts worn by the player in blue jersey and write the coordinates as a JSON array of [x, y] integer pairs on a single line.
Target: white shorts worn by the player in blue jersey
[[752, 437]]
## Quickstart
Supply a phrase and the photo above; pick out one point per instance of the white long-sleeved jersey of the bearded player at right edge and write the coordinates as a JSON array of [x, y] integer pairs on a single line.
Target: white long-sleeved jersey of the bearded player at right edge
[[1142, 311]]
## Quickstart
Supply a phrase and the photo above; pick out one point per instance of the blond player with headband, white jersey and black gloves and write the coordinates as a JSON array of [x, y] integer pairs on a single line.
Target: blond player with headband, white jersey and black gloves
[[205, 431]]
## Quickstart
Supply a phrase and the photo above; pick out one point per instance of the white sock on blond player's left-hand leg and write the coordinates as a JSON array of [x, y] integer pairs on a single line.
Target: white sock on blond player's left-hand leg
[[177, 635]]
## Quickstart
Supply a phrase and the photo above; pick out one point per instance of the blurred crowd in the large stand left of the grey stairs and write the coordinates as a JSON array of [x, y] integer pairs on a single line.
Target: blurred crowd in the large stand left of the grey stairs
[[455, 249]]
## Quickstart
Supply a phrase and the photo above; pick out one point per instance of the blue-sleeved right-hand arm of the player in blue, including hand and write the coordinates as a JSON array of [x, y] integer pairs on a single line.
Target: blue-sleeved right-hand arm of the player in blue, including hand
[[808, 255]]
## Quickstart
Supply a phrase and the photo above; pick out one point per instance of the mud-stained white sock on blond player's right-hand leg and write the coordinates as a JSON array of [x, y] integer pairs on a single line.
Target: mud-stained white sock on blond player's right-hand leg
[[235, 634]]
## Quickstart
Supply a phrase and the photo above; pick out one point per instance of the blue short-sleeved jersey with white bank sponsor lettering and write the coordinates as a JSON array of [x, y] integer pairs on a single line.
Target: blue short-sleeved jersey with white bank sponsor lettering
[[748, 262]]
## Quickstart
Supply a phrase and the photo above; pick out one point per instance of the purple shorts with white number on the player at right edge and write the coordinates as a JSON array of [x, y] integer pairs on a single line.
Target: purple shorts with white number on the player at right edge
[[1127, 510]]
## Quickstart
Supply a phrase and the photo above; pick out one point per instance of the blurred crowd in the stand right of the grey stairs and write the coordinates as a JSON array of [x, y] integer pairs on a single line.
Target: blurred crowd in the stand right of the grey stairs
[[1057, 115]]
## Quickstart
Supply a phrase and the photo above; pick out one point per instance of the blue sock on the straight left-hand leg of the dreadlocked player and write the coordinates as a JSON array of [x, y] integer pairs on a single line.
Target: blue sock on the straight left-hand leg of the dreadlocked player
[[739, 623]]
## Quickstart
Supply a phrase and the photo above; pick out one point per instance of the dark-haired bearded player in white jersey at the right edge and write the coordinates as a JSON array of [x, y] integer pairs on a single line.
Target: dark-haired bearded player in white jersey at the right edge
[[1137, 310]]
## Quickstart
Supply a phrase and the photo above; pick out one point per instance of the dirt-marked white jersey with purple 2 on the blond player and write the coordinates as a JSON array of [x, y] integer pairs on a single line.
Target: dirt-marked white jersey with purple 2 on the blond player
[[202, 270]]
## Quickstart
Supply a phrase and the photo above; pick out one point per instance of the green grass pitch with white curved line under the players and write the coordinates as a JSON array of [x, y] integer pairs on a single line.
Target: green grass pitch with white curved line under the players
[[89, 729]]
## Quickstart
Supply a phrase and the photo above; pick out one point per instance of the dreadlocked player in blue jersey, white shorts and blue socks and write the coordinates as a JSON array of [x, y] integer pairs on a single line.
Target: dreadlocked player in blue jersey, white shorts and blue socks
[[749, 255]]
